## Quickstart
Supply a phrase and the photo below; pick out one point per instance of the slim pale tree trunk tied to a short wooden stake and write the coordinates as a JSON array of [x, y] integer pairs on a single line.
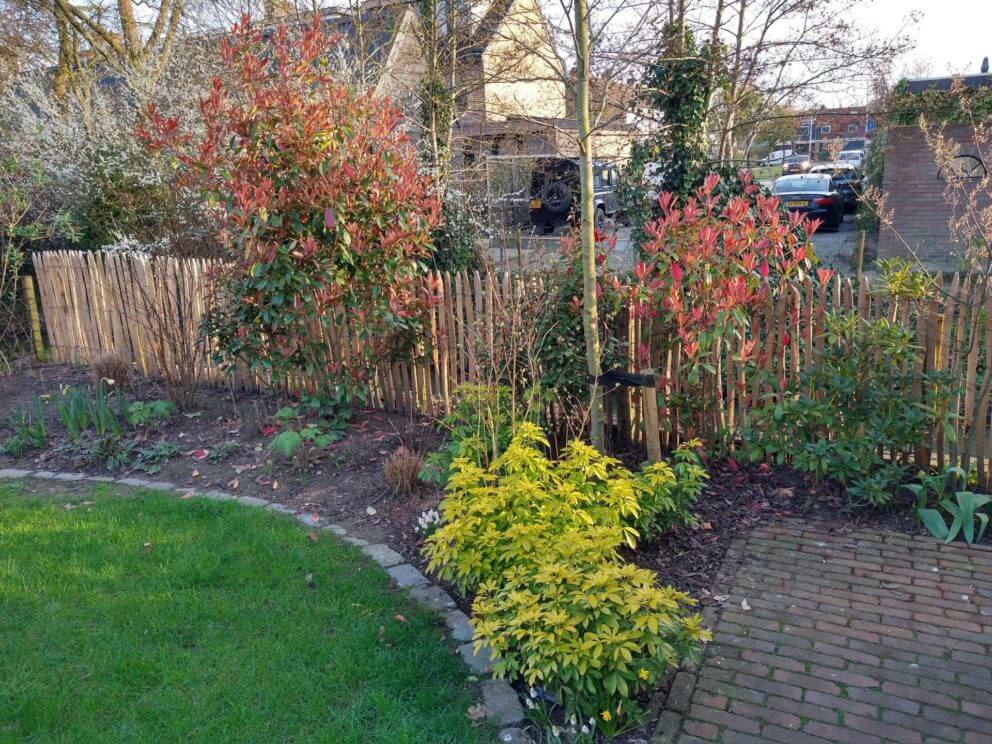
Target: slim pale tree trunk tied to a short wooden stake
[[590, 313]]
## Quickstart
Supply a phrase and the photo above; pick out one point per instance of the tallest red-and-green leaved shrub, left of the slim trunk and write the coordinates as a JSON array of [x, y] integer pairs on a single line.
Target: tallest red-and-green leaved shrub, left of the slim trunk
[[320, 206]]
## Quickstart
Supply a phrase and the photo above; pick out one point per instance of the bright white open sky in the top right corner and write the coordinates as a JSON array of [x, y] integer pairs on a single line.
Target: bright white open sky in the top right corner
[[952, 35]]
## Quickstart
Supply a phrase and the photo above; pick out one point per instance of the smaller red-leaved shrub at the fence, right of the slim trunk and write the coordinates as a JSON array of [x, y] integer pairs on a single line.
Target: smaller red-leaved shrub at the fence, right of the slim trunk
[[706, 267]]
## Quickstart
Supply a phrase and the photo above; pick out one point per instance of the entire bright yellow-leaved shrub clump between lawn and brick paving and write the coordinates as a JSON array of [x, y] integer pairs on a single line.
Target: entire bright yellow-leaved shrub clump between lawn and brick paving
[[538, 541]]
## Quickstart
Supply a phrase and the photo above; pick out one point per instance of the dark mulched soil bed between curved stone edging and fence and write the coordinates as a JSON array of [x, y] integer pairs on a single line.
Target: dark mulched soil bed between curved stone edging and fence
[[344, 484]]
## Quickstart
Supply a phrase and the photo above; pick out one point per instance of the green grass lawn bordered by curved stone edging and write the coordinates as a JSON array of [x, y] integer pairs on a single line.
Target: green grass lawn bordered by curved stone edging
[[143, 618]]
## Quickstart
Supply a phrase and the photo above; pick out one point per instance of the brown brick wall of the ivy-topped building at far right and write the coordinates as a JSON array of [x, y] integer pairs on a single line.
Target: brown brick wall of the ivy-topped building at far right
[[915, 194]]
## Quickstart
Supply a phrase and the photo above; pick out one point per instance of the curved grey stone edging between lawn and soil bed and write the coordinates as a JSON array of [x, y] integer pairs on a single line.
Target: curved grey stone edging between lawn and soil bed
[[502, 704]]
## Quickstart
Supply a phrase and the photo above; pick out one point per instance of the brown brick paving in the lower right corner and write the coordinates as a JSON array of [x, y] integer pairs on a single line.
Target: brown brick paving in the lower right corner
[[858, 637]]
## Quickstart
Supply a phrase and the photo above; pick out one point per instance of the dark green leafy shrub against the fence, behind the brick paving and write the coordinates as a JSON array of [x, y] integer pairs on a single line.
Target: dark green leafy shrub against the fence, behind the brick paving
[[853, 416]]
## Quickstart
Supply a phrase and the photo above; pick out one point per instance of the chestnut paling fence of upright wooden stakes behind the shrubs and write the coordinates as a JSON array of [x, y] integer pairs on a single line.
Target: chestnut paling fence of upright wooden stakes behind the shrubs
[[99, 303]]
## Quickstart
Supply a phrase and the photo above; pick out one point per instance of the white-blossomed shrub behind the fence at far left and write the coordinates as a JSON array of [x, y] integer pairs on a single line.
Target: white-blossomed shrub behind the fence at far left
[[96, 168]]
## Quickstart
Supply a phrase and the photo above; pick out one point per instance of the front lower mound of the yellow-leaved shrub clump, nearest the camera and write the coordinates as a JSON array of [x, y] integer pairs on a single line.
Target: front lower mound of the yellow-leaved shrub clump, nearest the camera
[[593, 633]]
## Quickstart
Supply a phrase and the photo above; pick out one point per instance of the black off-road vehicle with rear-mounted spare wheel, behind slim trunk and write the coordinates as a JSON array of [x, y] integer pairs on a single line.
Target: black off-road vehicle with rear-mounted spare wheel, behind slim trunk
[[554, 193]]
